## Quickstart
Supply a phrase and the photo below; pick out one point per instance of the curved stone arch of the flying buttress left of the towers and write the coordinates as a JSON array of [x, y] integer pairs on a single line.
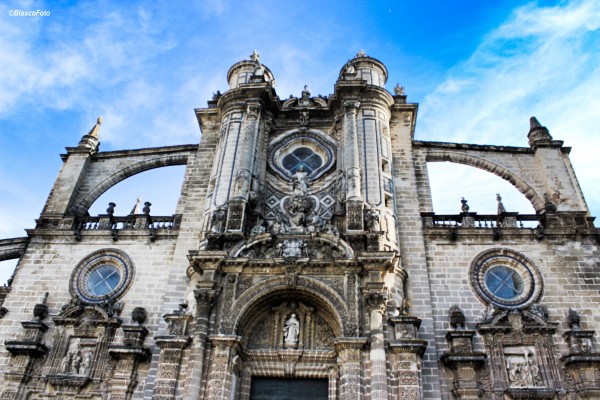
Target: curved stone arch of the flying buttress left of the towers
[[88, 199]]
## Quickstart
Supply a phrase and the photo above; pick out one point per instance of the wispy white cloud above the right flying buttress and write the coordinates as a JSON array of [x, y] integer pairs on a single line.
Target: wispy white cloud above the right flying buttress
[[543, 61]]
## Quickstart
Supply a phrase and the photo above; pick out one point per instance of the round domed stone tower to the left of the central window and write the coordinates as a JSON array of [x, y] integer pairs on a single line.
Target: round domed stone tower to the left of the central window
[[242, 119]]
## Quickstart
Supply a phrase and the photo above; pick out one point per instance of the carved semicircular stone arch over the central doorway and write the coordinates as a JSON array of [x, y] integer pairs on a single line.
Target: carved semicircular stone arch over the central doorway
[[254, 299]]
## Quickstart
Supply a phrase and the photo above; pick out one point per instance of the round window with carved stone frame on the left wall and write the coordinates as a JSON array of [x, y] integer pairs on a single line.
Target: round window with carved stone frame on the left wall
[[104, 274]]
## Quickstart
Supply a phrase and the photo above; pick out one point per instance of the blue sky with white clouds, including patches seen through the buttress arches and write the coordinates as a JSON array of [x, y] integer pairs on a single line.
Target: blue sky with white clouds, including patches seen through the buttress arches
[[478, 69]]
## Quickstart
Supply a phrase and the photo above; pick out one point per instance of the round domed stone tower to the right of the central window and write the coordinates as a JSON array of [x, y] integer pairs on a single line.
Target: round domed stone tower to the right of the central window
[[367, 151]]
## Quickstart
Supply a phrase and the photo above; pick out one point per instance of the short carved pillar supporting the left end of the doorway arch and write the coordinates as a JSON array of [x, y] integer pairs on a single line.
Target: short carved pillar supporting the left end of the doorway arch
[[220, 376]]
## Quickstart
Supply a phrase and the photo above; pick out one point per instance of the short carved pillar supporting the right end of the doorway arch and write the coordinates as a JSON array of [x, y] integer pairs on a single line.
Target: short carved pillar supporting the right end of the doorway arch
[[349, 351]]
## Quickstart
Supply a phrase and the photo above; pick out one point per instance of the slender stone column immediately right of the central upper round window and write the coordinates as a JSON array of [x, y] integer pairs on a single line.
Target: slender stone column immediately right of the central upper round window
[[354, 202]]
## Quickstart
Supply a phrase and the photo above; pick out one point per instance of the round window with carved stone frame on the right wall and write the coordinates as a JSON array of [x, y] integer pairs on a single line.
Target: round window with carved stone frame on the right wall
[[506, 279]]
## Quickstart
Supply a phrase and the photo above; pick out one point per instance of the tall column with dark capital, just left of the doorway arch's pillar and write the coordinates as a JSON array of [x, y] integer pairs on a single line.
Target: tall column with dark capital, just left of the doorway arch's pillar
[[205, 299]]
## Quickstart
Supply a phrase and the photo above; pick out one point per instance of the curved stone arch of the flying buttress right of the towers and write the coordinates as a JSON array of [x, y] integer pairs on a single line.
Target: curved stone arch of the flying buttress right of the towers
[[466, 159]]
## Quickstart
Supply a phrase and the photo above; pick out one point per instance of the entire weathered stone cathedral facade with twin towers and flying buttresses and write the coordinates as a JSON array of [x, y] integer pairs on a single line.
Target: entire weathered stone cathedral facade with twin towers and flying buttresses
[[305, 261]]
